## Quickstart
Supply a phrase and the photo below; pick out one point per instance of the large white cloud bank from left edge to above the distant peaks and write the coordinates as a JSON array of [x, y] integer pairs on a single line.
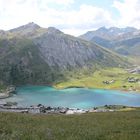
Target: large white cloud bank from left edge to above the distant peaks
[[14, 13]]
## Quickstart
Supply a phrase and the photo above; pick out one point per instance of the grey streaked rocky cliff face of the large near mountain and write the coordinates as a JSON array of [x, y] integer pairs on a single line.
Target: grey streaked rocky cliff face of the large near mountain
[[64, 50]]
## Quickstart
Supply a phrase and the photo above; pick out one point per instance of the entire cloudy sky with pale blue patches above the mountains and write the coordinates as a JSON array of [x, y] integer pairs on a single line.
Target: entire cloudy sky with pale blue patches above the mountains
[[71, 16]]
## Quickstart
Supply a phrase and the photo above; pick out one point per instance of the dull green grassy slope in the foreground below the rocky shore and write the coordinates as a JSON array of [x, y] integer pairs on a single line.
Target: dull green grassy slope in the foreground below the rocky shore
[[93, 126]]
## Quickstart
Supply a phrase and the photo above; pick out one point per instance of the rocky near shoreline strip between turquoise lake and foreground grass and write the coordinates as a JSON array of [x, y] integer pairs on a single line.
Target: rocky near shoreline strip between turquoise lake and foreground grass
[[46, 110]]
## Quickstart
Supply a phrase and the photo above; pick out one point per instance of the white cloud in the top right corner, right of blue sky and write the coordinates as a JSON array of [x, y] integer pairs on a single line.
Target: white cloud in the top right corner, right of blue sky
[[129, 12]]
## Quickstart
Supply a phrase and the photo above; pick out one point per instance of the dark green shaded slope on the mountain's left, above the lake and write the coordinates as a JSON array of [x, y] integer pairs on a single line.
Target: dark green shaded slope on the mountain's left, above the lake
[[20, 63]]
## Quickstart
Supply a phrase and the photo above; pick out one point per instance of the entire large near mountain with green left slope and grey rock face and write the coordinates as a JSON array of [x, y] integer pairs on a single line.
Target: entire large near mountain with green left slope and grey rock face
[[34, 55]]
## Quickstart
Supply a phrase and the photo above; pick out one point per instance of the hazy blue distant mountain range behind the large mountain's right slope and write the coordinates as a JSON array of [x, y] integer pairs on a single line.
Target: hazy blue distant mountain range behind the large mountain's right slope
[[125, 41]]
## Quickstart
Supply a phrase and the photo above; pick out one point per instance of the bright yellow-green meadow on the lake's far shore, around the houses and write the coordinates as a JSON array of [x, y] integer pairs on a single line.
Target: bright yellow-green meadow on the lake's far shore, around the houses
[[95, 80]]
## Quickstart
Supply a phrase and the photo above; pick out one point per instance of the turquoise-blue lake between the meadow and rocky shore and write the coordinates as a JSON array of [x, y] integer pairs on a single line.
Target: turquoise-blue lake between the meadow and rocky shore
[[73, 97]]
